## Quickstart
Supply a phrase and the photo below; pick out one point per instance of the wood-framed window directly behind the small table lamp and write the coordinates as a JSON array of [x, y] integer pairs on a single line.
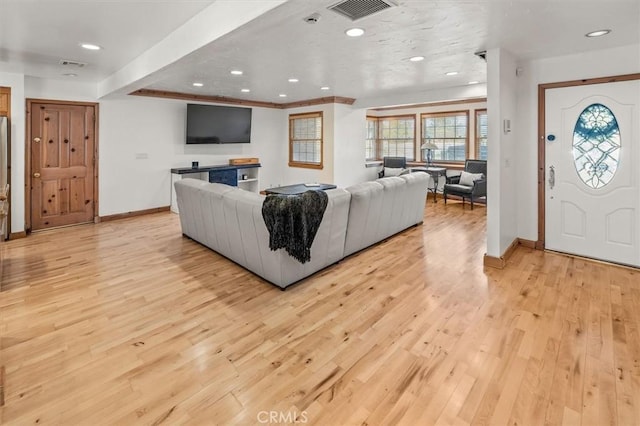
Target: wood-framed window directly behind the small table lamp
[[449, 131]]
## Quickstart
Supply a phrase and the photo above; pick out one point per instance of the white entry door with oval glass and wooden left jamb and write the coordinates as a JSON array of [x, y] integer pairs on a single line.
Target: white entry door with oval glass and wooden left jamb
[[589, 186]]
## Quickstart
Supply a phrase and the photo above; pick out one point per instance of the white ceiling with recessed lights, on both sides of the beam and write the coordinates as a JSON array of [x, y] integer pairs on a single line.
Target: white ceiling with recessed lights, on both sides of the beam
[[279, 44]]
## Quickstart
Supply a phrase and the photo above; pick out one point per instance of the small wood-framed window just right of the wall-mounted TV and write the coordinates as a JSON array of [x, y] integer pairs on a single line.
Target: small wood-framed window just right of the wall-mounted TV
[[305, 140]]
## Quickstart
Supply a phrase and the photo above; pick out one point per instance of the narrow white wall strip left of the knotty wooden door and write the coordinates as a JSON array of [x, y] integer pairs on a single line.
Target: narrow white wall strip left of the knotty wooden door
[[17, 84]]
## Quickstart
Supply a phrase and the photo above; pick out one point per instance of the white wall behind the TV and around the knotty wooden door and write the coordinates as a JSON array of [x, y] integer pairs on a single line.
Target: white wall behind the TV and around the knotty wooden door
[[130, 126]]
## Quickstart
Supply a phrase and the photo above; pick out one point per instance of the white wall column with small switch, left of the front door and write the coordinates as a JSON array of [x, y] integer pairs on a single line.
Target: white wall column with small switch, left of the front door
[[502, 208]]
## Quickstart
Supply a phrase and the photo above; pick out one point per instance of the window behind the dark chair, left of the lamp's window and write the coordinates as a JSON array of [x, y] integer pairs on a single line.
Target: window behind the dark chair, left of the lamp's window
[[397, 136]]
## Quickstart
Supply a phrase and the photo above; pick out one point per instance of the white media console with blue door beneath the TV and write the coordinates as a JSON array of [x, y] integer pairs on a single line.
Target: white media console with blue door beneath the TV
[[244, 176]]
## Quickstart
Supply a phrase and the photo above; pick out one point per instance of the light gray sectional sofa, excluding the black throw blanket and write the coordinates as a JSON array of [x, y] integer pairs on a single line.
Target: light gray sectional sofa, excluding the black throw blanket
[[229, 221]]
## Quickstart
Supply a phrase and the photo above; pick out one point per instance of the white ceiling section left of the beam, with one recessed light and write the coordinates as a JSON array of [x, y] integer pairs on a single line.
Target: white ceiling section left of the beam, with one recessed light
[[36, 34]]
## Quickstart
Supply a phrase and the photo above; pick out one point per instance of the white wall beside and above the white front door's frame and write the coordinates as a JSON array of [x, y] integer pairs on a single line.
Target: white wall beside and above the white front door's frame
[[610, 62]]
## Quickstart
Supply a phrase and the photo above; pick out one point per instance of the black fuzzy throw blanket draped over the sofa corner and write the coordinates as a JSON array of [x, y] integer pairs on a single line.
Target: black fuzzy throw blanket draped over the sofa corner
[[293, 221]]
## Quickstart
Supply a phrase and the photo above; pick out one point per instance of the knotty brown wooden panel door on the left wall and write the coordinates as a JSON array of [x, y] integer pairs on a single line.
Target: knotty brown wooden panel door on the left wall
[[62, 139]]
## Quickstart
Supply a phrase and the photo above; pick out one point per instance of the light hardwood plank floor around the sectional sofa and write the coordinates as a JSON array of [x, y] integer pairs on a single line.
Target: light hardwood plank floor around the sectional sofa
[[128, 322]]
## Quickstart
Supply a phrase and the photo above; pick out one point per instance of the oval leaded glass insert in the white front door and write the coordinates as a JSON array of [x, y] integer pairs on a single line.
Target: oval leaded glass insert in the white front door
[[596, 145]]
